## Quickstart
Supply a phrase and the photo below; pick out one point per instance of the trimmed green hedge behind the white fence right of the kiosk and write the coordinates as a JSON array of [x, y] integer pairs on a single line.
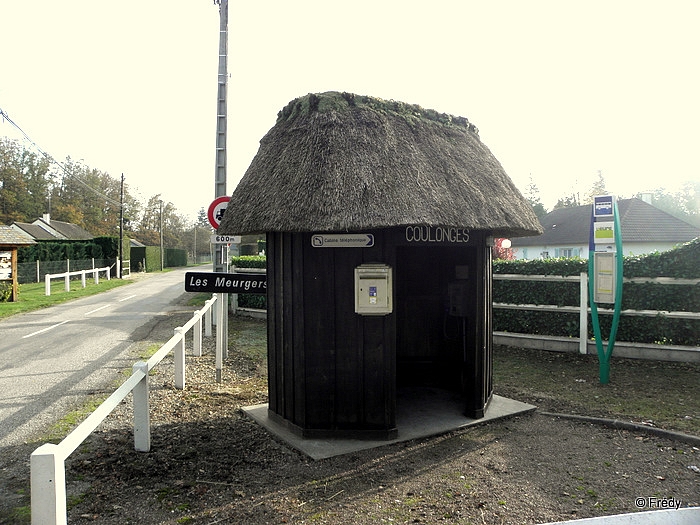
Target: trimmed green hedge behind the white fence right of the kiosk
[[679, 263]]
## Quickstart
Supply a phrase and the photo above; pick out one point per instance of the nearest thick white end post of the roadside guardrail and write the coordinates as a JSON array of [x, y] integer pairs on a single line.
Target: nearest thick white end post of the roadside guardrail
[[48, 486]]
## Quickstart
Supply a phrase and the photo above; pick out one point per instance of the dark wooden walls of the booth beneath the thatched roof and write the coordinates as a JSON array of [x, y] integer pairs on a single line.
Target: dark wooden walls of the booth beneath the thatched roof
[[350, 327]]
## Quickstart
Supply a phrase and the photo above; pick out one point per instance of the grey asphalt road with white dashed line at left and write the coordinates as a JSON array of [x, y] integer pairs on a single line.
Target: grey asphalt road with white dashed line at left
[[51, 359]]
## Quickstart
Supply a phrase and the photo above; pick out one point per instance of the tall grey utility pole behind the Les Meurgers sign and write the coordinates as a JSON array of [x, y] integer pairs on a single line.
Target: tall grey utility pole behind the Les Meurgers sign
[[221, 250]]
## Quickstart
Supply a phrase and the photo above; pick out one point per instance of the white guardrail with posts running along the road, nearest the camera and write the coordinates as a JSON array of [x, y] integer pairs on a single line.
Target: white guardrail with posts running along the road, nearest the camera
[[47, 463]]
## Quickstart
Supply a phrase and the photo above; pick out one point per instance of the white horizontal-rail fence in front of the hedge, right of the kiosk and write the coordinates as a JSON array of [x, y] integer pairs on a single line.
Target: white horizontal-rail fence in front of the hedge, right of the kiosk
[[583, 309]]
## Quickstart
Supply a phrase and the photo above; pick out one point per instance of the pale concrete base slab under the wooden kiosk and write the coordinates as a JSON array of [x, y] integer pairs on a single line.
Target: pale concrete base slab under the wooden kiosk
[[421, 412]]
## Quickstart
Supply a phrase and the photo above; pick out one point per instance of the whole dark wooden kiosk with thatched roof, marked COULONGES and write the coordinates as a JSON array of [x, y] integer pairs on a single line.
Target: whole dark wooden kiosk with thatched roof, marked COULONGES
[[379, 219]]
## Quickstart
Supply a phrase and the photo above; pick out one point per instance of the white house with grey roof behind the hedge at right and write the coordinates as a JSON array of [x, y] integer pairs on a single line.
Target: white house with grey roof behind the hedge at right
[[645, 229]]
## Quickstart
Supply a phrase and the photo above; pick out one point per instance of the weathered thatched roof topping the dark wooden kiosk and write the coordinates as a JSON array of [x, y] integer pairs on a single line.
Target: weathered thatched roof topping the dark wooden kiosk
[[343, 162]]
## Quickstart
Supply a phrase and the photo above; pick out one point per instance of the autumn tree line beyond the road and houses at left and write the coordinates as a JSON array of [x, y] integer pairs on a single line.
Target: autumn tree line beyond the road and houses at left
[[31, 186]]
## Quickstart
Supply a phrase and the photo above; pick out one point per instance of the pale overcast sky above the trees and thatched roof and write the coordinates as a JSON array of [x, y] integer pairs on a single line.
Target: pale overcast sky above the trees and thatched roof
[[558, 89]]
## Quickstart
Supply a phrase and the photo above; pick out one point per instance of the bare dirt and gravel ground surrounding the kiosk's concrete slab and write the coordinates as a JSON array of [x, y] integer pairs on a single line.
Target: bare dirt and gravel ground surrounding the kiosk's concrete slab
[[210, 463]]
